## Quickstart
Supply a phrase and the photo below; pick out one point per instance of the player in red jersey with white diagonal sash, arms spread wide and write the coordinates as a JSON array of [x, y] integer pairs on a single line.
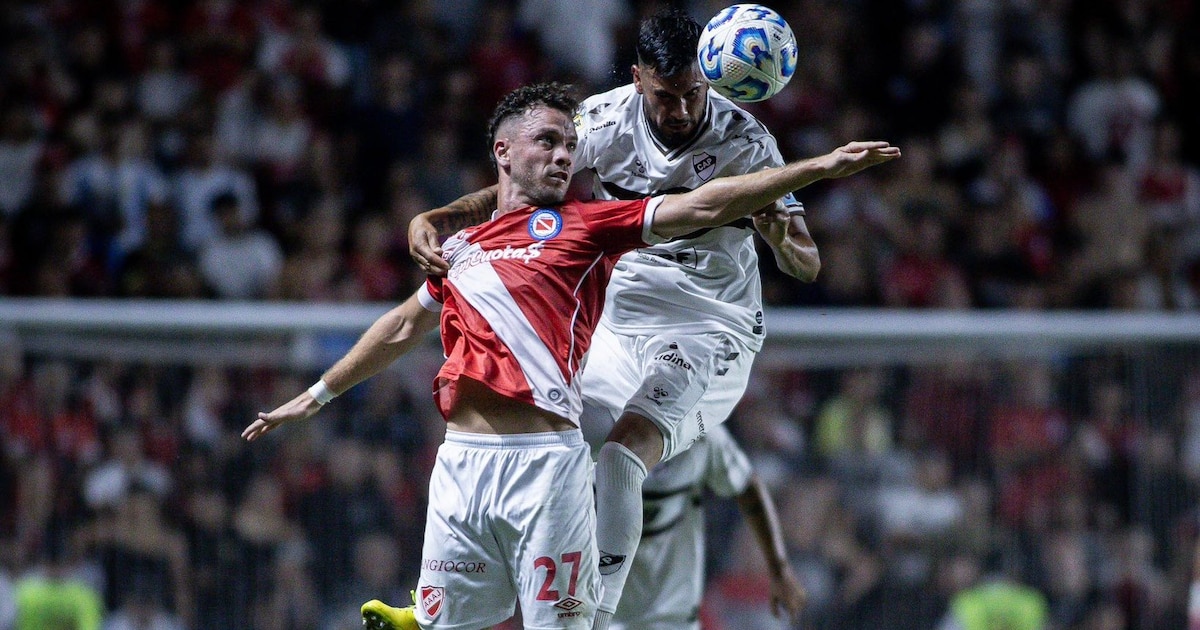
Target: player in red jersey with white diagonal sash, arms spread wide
[[512, 515]]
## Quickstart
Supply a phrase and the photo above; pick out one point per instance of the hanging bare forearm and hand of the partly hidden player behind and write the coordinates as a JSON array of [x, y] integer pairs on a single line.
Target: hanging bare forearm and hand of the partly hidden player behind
[[759, 511]]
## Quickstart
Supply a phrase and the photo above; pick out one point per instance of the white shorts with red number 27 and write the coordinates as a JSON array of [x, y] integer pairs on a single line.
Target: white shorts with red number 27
[[511, 518]]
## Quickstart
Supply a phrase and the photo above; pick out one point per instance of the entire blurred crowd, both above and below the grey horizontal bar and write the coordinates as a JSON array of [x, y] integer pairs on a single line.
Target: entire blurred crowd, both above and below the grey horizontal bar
[[277, 149]]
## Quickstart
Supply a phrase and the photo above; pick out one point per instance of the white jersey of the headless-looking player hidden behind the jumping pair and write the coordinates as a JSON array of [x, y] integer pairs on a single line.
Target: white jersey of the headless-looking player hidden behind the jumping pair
[[667, 580]]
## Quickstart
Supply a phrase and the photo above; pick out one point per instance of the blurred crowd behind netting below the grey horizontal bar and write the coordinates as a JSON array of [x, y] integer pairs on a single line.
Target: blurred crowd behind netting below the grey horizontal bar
[[1053, 494]]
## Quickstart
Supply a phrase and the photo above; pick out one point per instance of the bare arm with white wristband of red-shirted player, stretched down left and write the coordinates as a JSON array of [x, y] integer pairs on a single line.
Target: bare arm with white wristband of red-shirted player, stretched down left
[[389, 338]]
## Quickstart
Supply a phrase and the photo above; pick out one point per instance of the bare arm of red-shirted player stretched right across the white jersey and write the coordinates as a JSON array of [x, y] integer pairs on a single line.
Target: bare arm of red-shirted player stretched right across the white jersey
[[728, 199]]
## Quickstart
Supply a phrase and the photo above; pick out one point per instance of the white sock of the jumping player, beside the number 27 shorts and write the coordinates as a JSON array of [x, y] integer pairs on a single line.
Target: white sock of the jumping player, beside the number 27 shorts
[[620, 476]]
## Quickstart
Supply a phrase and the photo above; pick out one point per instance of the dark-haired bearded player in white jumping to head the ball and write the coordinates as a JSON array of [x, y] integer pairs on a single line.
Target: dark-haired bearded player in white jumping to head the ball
[[693, 302]]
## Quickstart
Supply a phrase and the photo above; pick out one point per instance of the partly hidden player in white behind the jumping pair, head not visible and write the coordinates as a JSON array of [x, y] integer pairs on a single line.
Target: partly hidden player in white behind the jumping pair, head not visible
[[667, 579]]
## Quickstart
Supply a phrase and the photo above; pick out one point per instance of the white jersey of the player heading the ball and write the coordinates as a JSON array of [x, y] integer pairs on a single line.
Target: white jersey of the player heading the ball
[[703, 284]]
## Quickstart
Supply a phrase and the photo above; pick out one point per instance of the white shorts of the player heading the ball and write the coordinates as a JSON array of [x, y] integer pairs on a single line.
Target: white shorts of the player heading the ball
[[682, 383]]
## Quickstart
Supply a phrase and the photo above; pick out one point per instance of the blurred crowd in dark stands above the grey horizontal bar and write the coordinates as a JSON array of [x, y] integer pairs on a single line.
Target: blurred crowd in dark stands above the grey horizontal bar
[[275, 149]]
